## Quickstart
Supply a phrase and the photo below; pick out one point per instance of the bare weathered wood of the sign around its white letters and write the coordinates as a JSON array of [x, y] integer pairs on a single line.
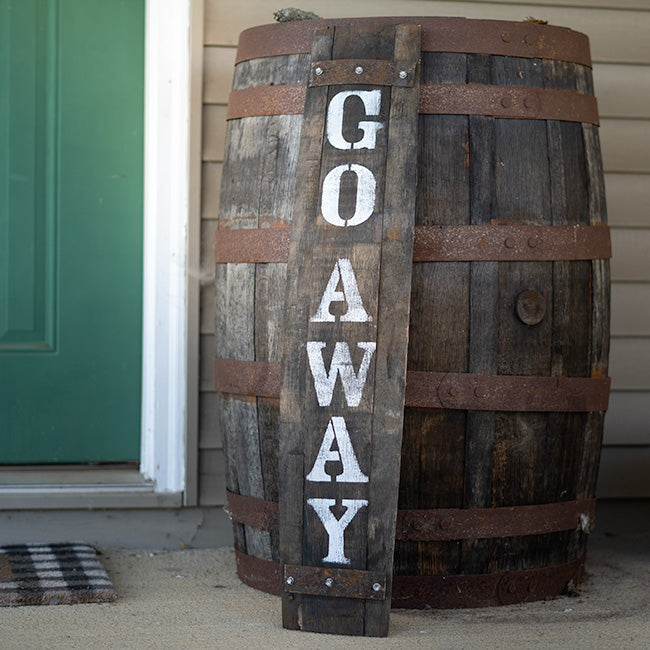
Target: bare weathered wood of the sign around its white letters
[[380, 252]]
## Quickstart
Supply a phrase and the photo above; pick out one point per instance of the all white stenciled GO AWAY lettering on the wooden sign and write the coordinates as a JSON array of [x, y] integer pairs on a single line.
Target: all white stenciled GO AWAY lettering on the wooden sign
[[343, 276]]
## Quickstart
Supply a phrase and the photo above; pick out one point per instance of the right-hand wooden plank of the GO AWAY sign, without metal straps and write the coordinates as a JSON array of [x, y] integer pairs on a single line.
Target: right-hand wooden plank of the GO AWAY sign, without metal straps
[[393, 317]]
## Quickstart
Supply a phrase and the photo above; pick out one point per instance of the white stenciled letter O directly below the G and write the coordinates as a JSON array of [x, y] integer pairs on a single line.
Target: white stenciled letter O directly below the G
[[365, 199]]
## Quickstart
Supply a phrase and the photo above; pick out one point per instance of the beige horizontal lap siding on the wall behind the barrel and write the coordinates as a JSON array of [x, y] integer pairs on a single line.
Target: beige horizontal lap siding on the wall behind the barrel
[[620, 49]]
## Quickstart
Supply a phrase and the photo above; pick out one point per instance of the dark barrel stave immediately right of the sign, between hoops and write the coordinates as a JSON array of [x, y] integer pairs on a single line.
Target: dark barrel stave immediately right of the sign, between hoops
[[434, 442]]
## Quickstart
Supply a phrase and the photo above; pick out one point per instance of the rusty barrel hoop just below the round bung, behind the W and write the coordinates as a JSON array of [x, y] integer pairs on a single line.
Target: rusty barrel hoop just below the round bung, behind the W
[[440, 390]]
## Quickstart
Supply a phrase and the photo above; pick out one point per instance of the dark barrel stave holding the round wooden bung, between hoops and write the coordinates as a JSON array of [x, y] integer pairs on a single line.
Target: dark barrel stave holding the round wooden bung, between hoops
[[523, 196]]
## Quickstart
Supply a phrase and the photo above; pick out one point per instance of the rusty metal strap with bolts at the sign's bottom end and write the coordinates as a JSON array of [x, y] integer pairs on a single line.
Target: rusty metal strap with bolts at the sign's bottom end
[[338, 583]]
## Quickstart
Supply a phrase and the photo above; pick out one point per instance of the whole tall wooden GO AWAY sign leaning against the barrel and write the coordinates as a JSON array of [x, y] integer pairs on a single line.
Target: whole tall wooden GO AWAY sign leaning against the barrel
[[346, 334]]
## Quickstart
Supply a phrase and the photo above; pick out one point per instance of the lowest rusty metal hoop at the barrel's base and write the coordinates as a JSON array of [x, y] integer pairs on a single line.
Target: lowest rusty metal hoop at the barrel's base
[[442, 592]]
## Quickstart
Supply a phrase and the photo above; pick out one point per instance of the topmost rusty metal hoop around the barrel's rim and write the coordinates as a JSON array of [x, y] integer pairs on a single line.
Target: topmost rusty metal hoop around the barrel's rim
[[495, 37]]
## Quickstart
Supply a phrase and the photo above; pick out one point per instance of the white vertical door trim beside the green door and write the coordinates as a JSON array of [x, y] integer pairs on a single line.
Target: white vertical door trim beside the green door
[[166, 328]]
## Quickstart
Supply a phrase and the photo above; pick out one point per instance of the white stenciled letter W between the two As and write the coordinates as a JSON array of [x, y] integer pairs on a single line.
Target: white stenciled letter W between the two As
[[324, 381]]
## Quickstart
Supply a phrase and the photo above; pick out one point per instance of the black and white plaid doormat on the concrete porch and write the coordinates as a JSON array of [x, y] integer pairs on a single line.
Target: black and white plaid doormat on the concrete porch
[[52, 574]]
